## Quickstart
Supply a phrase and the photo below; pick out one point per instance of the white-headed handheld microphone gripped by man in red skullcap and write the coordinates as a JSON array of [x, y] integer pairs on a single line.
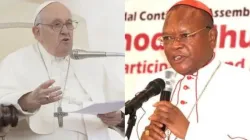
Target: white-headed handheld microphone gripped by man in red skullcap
[[166, 93]]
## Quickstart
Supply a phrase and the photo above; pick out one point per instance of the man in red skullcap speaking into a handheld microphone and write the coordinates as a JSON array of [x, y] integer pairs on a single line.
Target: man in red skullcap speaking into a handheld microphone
[[210, 99]]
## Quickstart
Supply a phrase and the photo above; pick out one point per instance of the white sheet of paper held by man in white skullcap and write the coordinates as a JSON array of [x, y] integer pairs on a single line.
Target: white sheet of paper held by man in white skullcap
[[101, 108]]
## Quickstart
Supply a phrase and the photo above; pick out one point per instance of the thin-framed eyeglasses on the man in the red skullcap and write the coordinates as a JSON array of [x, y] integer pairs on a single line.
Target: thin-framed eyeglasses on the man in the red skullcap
[[168, 39]]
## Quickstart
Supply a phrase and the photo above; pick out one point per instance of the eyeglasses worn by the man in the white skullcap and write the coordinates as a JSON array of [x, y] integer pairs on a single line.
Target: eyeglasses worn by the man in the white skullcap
[[59, 25]]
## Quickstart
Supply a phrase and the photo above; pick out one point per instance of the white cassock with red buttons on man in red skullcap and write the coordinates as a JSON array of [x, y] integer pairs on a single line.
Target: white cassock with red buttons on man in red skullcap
[[223, 94]]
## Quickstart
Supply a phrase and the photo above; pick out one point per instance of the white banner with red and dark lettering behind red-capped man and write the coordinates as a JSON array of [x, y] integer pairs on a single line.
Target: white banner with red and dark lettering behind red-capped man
[[143, 24]]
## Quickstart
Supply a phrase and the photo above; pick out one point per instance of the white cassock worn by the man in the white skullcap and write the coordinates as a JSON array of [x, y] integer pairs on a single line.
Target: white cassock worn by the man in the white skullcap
[[88, 81]]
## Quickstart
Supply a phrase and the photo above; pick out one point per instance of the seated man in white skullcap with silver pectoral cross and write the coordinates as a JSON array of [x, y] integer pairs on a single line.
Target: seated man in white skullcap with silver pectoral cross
[[41, 79]]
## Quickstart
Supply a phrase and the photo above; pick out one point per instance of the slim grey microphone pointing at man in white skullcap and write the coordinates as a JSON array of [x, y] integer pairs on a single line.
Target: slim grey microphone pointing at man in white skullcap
[[82, 54]]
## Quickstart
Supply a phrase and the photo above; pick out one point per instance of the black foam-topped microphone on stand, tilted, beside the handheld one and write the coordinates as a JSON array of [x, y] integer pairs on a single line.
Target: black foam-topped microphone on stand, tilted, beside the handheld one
[[152, 89]]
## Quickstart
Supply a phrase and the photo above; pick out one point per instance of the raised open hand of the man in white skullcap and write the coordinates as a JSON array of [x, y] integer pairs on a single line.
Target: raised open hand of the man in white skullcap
[[44, 94]]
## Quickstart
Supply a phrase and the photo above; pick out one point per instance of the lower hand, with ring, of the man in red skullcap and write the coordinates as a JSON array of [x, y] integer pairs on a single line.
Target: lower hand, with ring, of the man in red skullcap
[[153, 132]]
